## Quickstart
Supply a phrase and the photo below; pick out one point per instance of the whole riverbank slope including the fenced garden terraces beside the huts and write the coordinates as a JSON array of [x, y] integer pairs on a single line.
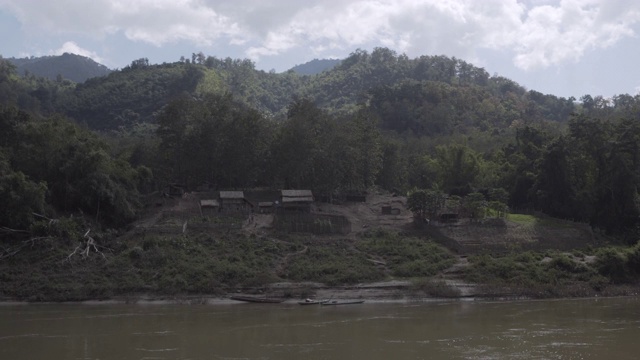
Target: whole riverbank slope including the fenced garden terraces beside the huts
[[381, 260]]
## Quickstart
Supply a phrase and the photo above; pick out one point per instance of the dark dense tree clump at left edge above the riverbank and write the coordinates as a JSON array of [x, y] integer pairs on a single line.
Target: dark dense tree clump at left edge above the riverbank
[[52, 165]]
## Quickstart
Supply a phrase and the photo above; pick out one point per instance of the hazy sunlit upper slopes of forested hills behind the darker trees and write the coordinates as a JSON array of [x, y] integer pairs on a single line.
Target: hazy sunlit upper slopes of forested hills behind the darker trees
[[435, 84]]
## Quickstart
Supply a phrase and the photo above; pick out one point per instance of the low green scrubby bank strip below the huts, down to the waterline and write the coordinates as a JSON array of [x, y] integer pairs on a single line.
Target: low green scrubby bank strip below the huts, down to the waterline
[[182, 270]]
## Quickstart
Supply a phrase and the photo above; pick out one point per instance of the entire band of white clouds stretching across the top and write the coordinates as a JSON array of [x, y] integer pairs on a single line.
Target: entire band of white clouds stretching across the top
[[535, 33]]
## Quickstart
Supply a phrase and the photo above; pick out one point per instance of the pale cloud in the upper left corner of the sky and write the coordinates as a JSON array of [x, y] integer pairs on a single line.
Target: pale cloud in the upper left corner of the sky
[[153, 21]]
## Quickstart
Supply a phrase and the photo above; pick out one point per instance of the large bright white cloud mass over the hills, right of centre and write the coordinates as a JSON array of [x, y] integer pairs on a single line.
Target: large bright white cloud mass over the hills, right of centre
[[539, 34]]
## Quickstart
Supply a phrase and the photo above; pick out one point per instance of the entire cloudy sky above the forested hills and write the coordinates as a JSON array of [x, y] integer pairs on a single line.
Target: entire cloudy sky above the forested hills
[[560, 47]]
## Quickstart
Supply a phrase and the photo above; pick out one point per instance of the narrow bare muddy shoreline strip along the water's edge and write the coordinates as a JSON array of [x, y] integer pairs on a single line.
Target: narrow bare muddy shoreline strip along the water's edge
[[394, 291]]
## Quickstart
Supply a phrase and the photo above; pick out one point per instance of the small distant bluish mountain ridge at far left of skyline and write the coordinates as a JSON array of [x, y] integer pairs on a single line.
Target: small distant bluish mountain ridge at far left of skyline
[[73, 67]]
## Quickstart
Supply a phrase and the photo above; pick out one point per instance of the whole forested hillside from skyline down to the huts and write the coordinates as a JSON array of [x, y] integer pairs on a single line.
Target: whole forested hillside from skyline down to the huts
[[376, 119]]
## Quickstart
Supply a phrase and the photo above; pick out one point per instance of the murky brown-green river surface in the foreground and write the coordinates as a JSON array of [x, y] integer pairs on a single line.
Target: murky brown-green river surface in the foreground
[[559, 329]]
